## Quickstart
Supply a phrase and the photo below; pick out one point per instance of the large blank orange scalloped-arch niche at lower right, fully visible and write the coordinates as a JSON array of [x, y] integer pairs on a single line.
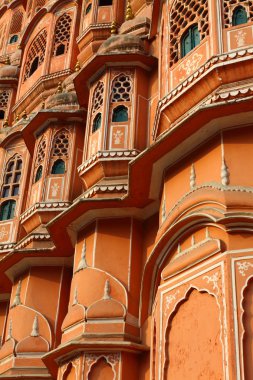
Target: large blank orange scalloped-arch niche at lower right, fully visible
[[192, 339]]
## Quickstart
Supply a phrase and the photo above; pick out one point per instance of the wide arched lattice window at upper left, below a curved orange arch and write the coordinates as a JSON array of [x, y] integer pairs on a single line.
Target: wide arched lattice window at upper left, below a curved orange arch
[[36, 54]]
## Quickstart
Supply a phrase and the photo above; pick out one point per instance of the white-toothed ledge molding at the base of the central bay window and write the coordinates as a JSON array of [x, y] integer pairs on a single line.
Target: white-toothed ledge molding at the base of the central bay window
[[108, 155]]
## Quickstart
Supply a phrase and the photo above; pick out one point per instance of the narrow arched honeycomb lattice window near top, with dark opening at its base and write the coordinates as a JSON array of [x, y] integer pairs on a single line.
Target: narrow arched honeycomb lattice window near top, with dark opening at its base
[[62, 35]]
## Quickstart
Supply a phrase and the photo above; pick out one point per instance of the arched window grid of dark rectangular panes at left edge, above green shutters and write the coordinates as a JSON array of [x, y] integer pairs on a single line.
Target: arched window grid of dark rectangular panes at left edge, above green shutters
[[12, 177]]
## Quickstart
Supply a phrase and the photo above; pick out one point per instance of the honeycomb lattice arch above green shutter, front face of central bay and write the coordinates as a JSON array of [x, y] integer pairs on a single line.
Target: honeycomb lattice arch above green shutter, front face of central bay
[[121, 89]]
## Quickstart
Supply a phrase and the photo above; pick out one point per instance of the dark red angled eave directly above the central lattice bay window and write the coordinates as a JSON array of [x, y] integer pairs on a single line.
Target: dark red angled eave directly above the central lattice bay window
[[96, 65]]
